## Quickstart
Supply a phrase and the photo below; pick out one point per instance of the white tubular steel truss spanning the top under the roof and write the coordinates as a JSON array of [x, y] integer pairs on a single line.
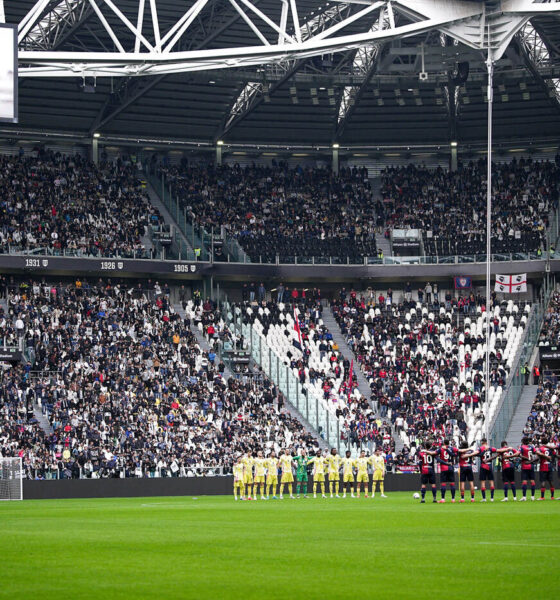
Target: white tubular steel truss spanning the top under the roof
[[469, 22]]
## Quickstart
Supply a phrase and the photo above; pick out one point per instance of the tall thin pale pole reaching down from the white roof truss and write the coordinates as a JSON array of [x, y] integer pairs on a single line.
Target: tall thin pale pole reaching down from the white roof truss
[[490, 94]]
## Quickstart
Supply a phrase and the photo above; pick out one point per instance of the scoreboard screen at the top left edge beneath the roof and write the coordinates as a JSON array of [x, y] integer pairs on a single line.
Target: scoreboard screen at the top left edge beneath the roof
[[8, 73]]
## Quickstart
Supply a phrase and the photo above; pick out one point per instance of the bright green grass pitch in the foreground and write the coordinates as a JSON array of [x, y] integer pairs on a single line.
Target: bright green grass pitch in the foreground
[[211, 547]]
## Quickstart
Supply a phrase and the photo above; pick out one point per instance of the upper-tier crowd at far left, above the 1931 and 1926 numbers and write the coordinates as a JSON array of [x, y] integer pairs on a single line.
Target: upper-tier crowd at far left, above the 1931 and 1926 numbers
[[61, 204]]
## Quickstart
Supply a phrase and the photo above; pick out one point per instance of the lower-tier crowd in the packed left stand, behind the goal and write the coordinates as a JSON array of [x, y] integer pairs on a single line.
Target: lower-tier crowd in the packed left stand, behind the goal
[[128, 390]]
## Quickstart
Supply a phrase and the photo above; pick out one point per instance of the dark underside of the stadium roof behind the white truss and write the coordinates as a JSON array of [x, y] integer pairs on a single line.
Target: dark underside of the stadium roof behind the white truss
[[365, 97]]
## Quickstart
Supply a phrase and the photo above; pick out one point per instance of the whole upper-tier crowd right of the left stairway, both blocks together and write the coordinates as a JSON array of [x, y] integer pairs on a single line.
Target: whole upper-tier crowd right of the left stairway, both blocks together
[[275, 211]]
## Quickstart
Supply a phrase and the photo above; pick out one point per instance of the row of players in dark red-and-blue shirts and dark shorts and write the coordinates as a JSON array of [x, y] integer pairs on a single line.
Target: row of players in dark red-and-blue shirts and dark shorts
[[528, 454]]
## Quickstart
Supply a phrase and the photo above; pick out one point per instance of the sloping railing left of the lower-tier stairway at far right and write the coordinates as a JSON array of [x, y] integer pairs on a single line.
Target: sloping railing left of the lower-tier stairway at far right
[[514, 388]]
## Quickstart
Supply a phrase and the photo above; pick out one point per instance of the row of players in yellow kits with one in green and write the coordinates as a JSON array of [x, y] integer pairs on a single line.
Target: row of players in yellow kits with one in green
[[260, 475]]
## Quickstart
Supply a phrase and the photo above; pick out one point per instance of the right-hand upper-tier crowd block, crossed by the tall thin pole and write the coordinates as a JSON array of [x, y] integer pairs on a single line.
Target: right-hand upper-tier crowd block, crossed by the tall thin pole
[[449, 207]]
